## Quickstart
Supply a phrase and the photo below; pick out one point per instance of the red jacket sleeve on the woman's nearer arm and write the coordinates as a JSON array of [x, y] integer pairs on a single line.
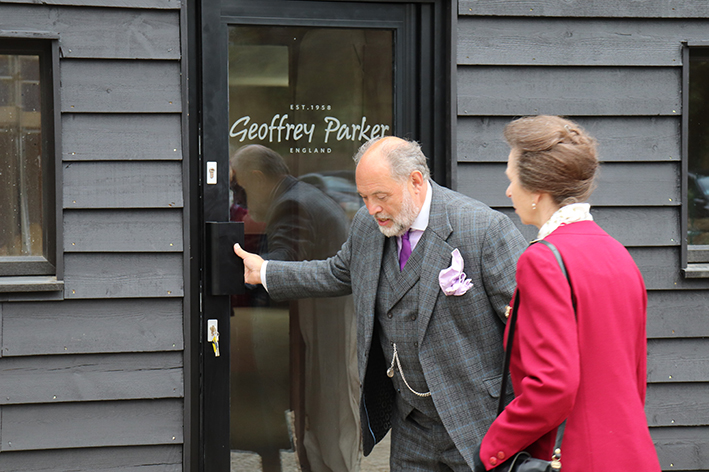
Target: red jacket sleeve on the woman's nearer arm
[[545, 358]]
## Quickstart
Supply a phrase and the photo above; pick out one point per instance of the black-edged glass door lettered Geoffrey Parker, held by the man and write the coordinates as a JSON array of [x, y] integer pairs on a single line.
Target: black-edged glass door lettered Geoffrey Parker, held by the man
[[290, 92]]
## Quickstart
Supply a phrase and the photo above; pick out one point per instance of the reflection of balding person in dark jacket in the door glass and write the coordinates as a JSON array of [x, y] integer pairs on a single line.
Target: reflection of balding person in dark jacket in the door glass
[[303, 223]]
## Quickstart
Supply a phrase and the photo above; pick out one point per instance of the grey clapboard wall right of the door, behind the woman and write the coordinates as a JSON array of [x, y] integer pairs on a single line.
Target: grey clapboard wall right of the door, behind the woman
[[615, 67]]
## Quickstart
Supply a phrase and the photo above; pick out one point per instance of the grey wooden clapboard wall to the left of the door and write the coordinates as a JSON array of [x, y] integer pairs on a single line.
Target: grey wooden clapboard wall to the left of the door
[[96, 381]]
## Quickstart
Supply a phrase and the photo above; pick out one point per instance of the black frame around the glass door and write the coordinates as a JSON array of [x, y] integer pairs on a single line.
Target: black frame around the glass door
[[426, 115]]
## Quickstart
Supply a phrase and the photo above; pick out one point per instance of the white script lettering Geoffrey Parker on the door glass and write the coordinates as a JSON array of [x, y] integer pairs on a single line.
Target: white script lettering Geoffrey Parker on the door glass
[[279, 130]]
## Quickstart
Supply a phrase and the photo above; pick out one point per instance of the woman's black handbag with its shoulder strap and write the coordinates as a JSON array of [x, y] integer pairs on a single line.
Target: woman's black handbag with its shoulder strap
[[522, 461]]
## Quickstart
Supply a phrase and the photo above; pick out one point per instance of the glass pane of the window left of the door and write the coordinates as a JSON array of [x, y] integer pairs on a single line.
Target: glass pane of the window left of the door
[[21, 212]]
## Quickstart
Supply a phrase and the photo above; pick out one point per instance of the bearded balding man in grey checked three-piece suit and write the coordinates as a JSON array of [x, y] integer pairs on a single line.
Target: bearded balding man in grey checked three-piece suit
[[429, 363]]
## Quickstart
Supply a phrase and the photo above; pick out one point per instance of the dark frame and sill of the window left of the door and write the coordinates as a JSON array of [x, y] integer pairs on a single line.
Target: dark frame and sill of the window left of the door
[[40, 273]]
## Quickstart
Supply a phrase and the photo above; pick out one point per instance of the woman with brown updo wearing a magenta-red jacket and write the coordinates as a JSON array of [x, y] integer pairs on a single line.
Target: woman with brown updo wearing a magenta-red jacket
[[587, 367]]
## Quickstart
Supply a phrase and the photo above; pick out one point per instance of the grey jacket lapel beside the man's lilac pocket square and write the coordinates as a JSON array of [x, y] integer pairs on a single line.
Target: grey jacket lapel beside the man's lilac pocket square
[[436, 257]]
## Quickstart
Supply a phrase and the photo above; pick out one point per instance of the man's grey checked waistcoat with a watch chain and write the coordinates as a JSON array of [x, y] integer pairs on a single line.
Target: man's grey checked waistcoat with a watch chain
[[397, 314]]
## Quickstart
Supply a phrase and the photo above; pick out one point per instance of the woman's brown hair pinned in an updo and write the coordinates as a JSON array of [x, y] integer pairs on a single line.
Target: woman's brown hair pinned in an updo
[[554, 156]]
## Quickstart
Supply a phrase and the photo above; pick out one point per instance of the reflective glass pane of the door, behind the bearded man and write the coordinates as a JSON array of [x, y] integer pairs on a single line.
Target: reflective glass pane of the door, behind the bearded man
[[301, 101]]
